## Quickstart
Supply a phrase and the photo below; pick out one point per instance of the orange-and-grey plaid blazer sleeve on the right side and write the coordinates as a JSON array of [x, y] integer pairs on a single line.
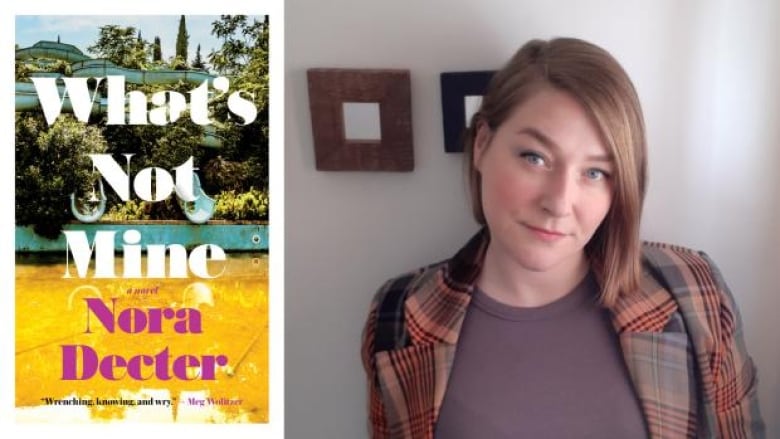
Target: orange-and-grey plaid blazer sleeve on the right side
[[714, 327]]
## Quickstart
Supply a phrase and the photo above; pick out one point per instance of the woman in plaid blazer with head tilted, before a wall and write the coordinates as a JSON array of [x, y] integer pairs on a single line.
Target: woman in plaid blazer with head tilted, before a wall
[[555, 320]]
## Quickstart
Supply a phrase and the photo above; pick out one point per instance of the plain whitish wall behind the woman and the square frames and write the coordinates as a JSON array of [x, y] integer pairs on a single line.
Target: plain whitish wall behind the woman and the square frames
[[706, 72]]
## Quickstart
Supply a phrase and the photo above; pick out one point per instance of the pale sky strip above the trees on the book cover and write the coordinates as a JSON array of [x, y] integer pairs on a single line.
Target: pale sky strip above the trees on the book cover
[[82, 30]]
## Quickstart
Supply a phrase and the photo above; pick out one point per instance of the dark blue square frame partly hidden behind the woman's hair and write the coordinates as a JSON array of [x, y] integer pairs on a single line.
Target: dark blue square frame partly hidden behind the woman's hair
[[455, 86]]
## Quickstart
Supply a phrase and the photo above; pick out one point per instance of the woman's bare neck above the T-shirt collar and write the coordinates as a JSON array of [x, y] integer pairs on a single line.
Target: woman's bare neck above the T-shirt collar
[[507, 281]]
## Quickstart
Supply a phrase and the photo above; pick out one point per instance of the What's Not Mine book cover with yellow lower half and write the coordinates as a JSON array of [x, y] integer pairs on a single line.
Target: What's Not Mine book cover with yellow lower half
[[141, 211]]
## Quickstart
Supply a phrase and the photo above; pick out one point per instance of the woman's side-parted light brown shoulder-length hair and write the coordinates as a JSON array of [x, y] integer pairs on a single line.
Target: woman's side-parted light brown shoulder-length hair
[[595, 79]]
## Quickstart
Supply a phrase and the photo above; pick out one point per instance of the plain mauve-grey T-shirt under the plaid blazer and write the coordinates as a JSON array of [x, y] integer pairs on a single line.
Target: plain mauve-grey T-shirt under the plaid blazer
[[554, 371]]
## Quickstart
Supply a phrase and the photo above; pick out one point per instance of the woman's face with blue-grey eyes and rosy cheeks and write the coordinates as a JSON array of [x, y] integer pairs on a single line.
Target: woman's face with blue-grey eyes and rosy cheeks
[[546, 182]]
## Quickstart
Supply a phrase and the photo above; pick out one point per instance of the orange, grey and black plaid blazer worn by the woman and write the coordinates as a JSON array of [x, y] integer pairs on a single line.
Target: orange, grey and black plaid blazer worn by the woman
[[680, 335]]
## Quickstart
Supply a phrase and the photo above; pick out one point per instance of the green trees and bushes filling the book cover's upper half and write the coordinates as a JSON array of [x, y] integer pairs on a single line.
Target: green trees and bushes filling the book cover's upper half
[[52, 161]]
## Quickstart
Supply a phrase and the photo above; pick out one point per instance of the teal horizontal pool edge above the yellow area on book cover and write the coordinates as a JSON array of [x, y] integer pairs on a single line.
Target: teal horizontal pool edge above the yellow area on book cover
[[230, 236]]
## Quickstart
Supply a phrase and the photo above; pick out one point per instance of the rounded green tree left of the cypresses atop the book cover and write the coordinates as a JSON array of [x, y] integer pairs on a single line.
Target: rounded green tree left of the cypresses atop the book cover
[[121, 46]]
